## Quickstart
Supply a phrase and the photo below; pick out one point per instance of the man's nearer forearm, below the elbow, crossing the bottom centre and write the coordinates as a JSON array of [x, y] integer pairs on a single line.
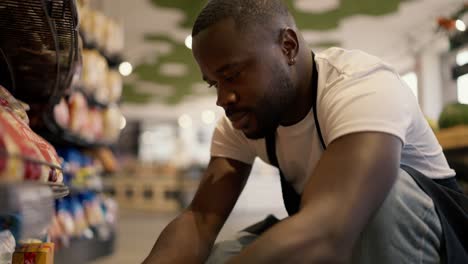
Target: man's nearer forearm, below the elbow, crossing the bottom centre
[[296, 240]]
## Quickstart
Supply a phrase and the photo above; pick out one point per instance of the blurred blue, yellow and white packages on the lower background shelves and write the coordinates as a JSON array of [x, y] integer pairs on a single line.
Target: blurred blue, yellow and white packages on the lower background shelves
[[86, 214]]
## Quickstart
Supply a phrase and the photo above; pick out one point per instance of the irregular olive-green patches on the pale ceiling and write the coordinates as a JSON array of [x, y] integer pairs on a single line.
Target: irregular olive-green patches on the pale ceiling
[[182, 86]]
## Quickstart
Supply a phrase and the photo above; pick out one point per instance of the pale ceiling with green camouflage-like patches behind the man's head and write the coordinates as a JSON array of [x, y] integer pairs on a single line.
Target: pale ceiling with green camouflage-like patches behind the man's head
[[165, 72]]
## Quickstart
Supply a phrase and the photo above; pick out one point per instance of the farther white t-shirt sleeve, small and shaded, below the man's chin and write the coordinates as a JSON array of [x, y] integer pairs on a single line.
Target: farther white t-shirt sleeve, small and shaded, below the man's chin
[[230, 143]]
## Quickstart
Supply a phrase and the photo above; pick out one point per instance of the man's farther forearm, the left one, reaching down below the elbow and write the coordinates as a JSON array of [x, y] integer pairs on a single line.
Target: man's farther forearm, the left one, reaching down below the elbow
[[184, 240]]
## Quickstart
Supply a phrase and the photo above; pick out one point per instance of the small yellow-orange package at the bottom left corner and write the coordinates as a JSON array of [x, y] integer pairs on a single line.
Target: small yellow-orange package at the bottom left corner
[[37, 253]]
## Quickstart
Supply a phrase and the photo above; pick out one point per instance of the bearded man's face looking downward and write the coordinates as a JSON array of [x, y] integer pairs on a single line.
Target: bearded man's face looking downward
[[250, 75]]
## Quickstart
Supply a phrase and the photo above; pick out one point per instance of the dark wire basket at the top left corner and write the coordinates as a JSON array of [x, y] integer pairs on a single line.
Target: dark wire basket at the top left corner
[[40, 45]]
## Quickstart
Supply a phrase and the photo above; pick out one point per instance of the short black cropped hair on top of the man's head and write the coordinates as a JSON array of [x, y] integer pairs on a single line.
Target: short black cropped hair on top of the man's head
[[245, 13]]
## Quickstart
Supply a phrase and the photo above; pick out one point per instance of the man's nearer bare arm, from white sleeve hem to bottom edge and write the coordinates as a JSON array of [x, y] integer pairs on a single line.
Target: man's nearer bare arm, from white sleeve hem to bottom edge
[[350, 182]]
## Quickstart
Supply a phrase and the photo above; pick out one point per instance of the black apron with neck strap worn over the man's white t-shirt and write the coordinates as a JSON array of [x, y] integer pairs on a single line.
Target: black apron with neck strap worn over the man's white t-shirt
[[450, 203]]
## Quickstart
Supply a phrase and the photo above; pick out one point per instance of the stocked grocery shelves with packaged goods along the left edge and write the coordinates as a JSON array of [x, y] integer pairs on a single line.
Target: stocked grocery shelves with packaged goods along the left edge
[[57, 118]]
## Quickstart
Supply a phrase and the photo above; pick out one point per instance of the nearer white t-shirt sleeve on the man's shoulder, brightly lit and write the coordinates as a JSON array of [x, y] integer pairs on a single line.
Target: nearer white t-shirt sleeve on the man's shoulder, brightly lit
[[374, 102]]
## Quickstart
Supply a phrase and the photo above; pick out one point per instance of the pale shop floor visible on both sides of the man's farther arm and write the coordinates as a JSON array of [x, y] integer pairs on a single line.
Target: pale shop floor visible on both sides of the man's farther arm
[[137, 231]]
